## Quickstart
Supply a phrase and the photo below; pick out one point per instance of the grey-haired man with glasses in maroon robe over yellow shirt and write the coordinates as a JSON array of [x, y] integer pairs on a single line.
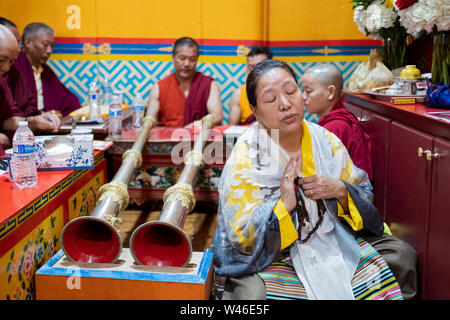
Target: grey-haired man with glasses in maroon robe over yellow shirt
[[50, 92]]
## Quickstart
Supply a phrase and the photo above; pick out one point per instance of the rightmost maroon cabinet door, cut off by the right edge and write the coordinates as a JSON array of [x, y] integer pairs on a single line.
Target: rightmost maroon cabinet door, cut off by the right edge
[[438, 259]]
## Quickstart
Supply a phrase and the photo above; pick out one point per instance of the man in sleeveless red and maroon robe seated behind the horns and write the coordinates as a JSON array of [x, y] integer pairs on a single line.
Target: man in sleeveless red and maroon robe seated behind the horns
[[185, 95]]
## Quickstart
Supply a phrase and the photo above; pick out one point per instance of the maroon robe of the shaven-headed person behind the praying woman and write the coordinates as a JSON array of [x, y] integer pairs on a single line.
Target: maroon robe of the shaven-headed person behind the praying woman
[[347, 128]]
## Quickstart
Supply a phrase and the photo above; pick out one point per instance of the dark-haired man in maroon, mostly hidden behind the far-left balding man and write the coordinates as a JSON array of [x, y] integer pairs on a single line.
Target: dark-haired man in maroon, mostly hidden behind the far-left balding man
[[23, 96]]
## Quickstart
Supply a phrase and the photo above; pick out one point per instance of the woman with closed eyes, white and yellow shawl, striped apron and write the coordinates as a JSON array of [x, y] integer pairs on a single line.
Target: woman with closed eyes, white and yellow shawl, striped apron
[[291, 206]]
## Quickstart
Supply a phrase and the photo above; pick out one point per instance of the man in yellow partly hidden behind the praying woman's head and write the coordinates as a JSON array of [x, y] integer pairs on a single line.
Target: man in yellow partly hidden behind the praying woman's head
[[240, 112]]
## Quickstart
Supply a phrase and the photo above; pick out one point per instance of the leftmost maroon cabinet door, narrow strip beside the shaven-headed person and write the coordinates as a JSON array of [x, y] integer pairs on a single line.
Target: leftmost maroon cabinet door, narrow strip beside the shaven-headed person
[[377, 127]]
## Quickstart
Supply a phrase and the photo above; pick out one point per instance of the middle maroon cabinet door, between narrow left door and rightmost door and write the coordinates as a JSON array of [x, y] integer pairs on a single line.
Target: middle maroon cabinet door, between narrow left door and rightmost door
[[408, 187]]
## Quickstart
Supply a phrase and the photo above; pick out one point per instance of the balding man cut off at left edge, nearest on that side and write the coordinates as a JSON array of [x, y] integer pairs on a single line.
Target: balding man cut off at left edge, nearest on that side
[[10, 114]]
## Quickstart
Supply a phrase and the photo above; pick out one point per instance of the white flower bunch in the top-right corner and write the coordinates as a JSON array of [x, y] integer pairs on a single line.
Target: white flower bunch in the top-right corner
[[424, 15]]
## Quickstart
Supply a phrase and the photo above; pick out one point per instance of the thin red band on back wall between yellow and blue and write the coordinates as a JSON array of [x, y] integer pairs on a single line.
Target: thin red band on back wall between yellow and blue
[[223, 42]]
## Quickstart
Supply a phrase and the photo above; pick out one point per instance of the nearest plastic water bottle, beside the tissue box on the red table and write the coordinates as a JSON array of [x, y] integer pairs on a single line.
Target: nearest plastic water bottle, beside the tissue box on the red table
[[24, 147]]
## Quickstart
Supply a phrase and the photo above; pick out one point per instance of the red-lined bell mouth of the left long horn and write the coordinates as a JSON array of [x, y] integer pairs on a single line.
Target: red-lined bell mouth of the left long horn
[[89, 239]]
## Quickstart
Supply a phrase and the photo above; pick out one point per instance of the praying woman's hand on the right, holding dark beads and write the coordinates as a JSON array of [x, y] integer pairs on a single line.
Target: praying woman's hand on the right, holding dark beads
[[323, 187]]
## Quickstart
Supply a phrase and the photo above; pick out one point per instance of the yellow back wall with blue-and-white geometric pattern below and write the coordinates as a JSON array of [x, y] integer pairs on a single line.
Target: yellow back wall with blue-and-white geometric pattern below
[[130, 42]]
